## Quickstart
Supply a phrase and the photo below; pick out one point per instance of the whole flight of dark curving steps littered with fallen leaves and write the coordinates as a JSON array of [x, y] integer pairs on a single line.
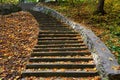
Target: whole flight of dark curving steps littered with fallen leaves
[[60, 52]]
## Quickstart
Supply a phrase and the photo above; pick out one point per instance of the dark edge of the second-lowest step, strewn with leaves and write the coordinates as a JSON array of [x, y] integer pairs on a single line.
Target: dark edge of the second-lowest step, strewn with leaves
[[52, 66]]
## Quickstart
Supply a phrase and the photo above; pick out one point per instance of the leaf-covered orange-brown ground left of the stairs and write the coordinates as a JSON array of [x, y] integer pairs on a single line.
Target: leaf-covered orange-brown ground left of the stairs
[[18, 35]]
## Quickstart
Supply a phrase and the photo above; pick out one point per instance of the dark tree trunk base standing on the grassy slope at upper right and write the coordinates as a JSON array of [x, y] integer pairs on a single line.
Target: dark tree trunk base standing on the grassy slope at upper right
[[100, 7]]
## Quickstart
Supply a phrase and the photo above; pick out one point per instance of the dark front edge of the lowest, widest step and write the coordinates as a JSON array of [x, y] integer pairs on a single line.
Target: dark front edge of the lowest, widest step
[[60, 74]]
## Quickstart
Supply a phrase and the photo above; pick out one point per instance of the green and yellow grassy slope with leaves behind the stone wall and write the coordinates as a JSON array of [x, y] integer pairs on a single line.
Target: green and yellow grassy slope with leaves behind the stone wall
[[106, 27]]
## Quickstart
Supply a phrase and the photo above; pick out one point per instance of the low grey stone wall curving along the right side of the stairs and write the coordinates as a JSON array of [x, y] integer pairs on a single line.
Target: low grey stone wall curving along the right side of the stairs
[[104, 59]]
